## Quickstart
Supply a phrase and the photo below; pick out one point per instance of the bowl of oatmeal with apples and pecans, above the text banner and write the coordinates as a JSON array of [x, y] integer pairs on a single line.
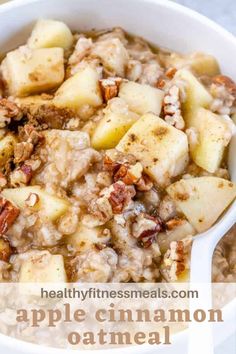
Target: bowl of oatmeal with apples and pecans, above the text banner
[[117, 139]]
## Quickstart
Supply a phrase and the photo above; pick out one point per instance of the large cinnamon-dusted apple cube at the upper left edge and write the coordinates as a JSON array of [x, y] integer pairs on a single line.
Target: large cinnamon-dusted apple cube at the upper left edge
[[29, 71]]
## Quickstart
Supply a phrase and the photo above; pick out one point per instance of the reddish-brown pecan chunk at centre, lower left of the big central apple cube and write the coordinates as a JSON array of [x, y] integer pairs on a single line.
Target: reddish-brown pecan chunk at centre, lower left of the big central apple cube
[[120, 196]]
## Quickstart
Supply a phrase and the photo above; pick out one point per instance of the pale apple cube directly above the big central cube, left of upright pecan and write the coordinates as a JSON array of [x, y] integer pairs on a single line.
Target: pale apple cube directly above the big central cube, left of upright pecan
[[141, 99]]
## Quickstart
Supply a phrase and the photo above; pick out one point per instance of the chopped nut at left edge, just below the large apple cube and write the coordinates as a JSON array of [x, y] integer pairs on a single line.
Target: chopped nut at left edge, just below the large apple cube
[[8, 111]]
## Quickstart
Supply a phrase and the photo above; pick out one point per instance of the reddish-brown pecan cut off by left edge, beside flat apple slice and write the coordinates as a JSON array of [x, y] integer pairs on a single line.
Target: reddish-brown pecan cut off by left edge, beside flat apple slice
[[8, 214]]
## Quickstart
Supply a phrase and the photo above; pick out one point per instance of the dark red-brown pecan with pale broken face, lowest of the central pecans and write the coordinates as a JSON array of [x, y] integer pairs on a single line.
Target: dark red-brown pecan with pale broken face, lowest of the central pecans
[[145, 228]]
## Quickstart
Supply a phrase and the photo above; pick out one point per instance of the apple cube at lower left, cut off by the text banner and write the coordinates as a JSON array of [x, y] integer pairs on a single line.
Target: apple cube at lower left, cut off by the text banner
[[42, 267]]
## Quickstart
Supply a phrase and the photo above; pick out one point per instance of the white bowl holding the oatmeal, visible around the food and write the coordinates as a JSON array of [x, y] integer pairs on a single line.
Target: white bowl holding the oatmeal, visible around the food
[[159, 21]]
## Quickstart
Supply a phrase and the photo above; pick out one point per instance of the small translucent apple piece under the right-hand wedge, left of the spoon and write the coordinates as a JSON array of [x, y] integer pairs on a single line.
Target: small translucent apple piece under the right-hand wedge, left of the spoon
[[178, 233]]
